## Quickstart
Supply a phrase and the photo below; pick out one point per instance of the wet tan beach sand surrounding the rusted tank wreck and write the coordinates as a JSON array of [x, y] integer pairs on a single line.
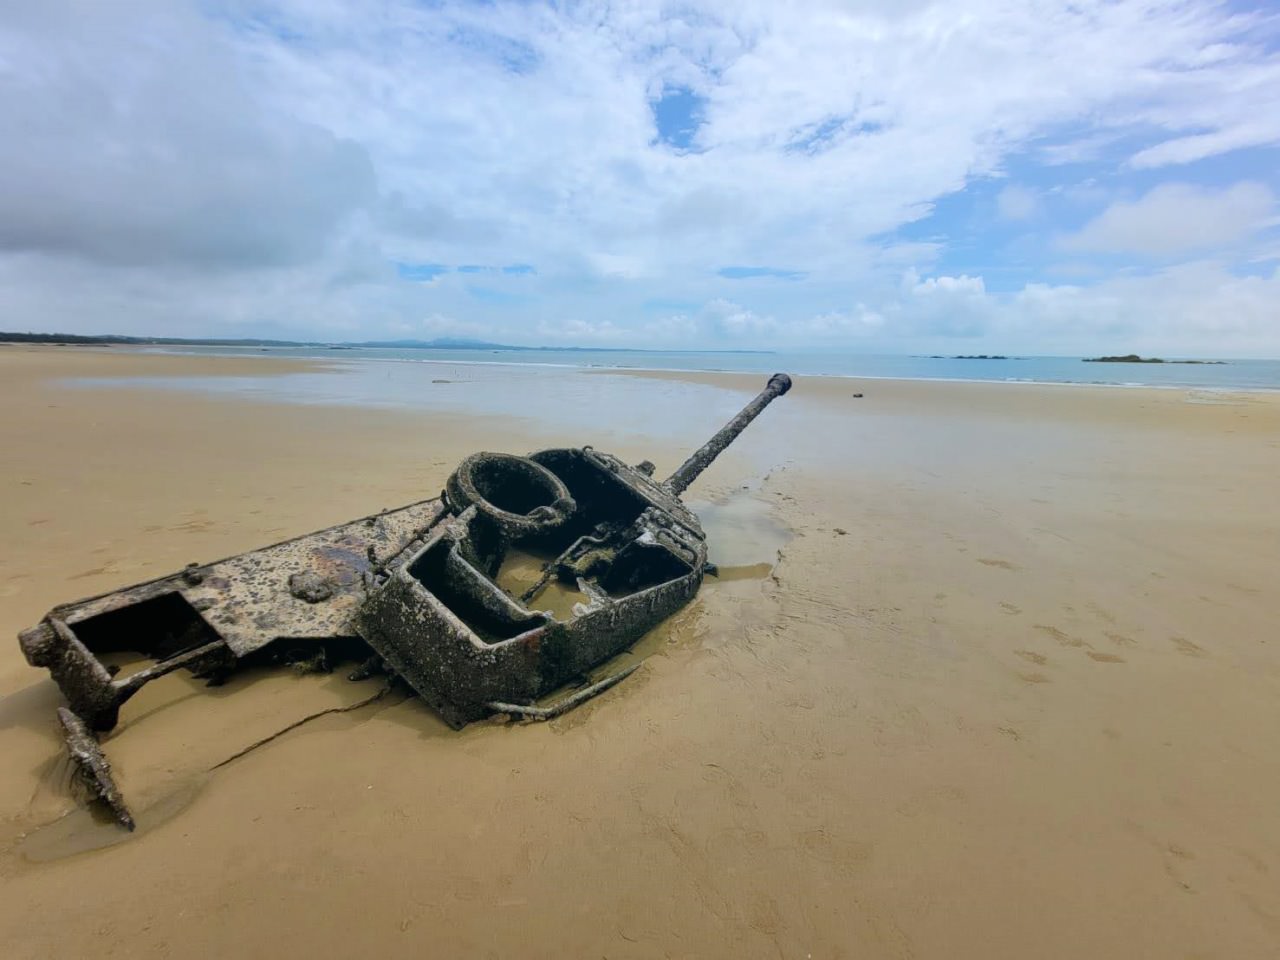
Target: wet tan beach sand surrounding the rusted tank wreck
[[1012, 689]]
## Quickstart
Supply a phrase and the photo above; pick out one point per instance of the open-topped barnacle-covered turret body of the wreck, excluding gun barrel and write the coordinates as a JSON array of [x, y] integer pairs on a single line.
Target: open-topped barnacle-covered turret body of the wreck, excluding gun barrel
[[447, 627]]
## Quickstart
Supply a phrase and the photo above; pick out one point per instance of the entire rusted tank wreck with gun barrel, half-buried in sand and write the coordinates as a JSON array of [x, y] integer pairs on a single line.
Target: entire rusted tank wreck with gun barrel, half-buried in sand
[[424, 593]]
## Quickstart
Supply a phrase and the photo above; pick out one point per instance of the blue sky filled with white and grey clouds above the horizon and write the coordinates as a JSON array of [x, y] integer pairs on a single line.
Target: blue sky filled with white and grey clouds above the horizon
[[862, 176]]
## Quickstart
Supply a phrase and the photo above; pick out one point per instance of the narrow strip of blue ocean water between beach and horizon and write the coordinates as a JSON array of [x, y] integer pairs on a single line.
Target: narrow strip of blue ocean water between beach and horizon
[[1232, 374]]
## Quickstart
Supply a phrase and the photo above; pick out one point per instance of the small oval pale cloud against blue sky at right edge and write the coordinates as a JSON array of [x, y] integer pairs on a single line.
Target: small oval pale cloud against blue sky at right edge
[[1176, 220]]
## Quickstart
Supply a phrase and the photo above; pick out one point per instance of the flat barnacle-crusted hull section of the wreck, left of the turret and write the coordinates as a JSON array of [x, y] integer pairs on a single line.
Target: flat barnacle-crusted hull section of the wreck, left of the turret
[[211, 618]]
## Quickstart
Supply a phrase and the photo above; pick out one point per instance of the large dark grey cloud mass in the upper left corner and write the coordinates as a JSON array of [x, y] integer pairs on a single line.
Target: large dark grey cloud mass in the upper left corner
[[144, 148]]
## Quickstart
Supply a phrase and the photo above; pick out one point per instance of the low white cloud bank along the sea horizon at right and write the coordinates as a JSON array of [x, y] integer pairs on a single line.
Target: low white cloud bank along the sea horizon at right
[[1208, 312]]
